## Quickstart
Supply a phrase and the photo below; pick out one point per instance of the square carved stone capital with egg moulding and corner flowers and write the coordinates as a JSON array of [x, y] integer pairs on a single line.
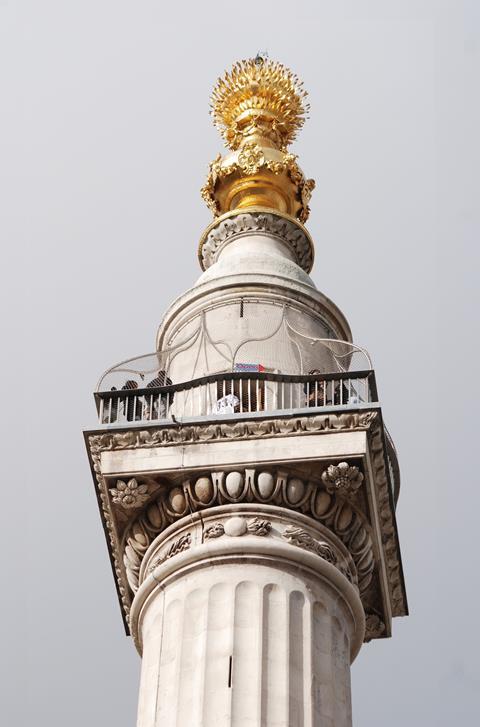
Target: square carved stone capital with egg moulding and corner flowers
[[317, 485]]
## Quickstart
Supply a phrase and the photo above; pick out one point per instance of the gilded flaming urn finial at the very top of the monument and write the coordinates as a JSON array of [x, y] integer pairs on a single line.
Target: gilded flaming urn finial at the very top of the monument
[[258, 106]]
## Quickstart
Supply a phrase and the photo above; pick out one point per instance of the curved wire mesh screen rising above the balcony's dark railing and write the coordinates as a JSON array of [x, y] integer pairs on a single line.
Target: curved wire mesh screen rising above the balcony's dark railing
[[253, 335]]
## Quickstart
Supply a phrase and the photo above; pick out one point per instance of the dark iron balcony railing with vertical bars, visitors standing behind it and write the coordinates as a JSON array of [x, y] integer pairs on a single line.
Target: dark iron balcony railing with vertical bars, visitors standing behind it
[[235, 393]]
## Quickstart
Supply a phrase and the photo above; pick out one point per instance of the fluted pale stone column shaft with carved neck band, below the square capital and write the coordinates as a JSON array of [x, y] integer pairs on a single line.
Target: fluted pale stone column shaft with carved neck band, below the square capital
[[246, 616]]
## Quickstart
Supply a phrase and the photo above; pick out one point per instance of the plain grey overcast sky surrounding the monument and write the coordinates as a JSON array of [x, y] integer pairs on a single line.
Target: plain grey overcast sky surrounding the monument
[[105, 140]]
